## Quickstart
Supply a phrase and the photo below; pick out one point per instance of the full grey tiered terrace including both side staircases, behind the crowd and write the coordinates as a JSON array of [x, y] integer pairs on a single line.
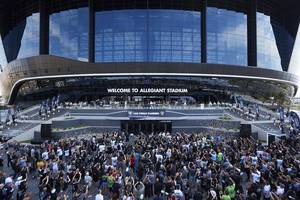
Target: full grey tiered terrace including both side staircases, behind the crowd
[[69, 122]]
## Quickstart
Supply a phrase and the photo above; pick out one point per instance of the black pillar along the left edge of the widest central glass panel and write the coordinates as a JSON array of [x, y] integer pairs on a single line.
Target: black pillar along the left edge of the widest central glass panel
[[91, 31]]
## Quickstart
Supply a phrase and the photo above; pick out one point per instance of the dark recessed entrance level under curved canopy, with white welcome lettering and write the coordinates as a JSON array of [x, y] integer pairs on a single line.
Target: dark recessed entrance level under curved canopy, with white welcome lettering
[[155, 92]]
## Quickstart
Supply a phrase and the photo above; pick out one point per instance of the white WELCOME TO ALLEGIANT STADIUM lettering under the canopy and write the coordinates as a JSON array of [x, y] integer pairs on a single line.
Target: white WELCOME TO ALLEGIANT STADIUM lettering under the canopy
[[147, 90]]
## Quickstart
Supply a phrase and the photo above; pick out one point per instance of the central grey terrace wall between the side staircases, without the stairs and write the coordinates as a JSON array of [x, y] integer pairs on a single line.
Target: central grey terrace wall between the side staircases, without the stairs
[[144, 120]]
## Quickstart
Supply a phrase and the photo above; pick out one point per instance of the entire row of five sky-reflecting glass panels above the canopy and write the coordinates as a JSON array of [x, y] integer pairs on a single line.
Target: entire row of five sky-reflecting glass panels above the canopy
[[153, 35]]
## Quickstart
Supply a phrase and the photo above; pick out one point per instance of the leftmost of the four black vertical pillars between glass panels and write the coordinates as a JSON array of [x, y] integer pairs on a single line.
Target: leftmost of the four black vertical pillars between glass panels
[[44, 27]]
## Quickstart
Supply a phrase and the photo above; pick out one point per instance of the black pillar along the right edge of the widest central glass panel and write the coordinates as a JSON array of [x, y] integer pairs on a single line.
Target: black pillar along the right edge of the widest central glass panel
[[203, 32]]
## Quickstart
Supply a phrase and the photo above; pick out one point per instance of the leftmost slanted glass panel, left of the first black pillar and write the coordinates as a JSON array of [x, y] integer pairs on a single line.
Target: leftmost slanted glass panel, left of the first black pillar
[[23, 40]]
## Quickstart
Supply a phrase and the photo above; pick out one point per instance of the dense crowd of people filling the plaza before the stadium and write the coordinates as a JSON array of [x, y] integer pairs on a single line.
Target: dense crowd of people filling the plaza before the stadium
[[157, 166]]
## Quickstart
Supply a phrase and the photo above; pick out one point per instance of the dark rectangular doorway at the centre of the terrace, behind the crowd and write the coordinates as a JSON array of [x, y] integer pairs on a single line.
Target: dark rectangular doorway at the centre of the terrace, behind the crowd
[[147, 126]]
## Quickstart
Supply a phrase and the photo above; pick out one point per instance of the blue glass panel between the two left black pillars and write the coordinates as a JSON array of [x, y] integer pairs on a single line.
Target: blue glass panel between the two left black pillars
[[68, 34]]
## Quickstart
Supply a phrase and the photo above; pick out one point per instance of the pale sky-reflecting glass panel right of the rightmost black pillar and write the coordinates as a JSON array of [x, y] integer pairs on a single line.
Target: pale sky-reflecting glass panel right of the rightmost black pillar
[[267, 51]]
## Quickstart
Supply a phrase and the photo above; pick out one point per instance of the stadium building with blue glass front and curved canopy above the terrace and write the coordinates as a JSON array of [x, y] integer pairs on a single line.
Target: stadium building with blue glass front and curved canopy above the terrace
[[141, 52]]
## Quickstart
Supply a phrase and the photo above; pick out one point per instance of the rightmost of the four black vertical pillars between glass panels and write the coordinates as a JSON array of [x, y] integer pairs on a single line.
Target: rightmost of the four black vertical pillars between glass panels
[[252, 33]]
